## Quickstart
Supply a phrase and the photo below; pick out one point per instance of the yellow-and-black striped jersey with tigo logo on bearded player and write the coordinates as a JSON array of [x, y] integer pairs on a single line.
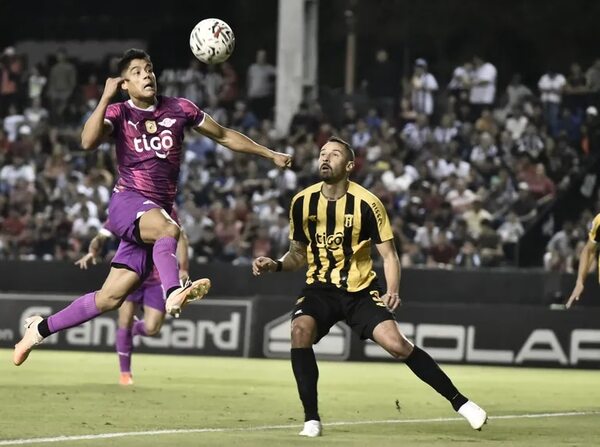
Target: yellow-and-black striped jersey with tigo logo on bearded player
[[338, 234]]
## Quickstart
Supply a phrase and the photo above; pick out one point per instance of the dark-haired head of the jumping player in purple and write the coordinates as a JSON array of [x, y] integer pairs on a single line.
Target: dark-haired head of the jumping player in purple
[[135, 67]]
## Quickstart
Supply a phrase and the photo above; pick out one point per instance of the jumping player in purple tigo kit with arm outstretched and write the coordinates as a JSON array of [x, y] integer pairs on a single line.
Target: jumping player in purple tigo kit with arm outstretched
[[148, 134]]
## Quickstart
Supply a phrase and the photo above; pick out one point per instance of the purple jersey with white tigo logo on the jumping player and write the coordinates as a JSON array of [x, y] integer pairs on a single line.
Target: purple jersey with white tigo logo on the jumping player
[[149, 143]]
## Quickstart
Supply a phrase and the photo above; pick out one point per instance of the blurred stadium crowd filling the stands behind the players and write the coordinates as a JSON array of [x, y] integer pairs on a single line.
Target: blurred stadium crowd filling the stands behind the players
[[463, 168]]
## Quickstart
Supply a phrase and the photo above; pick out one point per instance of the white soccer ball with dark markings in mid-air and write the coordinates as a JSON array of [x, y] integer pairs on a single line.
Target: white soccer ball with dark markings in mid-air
[[212, 41]]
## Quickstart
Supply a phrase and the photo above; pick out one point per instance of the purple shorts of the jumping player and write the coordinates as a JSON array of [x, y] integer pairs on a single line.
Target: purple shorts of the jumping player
[[124, 210]]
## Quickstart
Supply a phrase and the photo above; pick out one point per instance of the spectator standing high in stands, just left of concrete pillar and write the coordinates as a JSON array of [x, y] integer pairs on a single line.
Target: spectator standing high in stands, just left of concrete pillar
[[261, 86]]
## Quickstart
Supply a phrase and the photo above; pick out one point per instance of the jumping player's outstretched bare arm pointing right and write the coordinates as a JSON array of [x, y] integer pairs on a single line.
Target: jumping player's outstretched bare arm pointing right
[[239, 142]]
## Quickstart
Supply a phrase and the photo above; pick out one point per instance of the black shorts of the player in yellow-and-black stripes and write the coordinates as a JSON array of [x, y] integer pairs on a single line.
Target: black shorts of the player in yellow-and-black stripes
[[327, 304]]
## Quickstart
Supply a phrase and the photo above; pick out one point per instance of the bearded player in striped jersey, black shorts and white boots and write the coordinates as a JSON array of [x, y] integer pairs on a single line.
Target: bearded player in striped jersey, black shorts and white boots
[[333, 225]]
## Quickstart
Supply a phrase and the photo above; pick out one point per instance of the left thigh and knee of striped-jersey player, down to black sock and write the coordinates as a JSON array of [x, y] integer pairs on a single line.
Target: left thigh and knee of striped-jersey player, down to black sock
[[315, 312]]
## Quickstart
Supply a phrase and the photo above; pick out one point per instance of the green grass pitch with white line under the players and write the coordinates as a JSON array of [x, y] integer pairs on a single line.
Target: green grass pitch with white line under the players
[[253, 402]]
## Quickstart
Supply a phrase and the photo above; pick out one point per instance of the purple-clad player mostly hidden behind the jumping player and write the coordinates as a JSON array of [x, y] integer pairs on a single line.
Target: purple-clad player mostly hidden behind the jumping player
[[150, 296]]
